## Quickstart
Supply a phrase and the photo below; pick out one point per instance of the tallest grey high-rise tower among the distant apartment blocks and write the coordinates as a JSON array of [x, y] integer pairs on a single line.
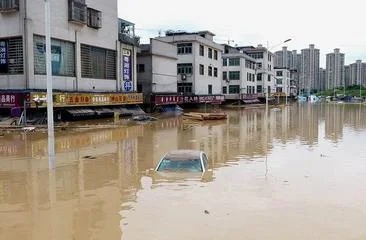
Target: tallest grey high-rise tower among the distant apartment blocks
[[309, 70]]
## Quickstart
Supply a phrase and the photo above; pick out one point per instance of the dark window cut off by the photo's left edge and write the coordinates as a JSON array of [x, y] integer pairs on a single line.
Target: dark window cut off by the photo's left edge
[[11, 56]]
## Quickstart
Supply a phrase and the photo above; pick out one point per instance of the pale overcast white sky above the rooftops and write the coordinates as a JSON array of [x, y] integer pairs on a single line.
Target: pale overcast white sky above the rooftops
[[327, 24]]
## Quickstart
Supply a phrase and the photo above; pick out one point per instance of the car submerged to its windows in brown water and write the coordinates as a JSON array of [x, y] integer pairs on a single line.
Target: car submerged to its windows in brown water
[[183, 161]]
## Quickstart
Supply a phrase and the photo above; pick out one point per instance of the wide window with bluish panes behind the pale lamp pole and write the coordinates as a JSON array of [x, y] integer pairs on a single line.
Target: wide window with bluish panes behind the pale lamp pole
[[62, 57]]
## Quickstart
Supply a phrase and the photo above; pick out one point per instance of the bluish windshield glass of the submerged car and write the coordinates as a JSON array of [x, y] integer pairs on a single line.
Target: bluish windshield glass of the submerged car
[[192, 165]]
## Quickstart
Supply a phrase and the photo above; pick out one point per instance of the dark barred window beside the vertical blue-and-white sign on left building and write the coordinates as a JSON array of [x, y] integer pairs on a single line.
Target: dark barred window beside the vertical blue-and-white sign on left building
[[97, 62]]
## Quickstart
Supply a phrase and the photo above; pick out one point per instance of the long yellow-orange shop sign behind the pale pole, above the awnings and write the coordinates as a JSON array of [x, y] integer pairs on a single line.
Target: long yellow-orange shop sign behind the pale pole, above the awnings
[[39, 99]]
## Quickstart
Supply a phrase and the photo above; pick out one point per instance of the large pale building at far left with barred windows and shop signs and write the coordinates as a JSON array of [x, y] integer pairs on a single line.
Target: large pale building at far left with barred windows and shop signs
[[91, 51]]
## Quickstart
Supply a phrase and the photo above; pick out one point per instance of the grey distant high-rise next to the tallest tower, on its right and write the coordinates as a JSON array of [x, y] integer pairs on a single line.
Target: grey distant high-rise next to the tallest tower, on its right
[[335, 69]]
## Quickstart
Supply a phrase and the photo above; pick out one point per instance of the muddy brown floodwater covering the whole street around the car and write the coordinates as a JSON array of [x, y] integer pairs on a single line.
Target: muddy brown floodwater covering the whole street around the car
[[301, 178]]
